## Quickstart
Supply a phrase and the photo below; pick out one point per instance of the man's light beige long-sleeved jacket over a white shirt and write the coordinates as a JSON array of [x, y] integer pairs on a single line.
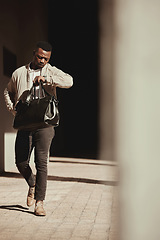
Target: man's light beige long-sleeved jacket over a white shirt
[[20, 82]]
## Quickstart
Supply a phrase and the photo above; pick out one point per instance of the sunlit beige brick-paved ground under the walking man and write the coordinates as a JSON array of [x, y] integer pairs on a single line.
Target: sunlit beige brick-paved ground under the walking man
[[80, 203]]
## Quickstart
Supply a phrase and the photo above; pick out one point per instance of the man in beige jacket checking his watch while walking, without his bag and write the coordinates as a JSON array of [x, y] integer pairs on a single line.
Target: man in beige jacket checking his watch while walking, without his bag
[[38, 139]]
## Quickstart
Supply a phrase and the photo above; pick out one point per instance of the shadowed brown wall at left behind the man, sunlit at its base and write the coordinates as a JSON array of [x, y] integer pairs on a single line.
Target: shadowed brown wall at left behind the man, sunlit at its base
[[21, 25]]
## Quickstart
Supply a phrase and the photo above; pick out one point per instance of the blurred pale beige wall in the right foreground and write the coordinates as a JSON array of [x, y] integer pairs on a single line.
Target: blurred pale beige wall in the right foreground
[[137, 115]]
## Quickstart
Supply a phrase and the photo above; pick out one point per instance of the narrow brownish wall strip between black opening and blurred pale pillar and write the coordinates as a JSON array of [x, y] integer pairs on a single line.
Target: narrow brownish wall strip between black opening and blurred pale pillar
[[106, 83]]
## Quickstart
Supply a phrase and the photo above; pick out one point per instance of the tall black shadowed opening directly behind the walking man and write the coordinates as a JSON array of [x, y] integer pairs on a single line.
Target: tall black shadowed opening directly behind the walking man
[[73, 32]]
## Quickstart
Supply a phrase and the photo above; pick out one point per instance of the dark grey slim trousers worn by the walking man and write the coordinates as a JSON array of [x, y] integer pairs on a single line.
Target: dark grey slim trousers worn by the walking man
[[40, 140]]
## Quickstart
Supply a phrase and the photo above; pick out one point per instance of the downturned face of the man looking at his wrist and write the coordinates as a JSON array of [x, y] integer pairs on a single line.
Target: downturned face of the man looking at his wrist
[[41, 58]]
